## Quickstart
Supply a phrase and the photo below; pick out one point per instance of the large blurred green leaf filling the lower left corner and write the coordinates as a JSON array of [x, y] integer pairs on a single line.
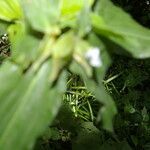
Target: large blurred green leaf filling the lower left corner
[[27, 105]]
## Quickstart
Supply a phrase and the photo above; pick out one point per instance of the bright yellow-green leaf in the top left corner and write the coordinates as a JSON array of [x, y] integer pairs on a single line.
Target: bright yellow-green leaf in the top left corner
[[10, 10]]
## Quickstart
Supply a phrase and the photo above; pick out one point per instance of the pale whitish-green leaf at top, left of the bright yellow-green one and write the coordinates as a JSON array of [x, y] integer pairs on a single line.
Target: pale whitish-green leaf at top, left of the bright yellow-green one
[[43, 15]]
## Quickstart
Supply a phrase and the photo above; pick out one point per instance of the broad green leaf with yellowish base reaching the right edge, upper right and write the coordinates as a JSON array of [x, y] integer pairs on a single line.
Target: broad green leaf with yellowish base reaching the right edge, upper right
[[118, 26]]
